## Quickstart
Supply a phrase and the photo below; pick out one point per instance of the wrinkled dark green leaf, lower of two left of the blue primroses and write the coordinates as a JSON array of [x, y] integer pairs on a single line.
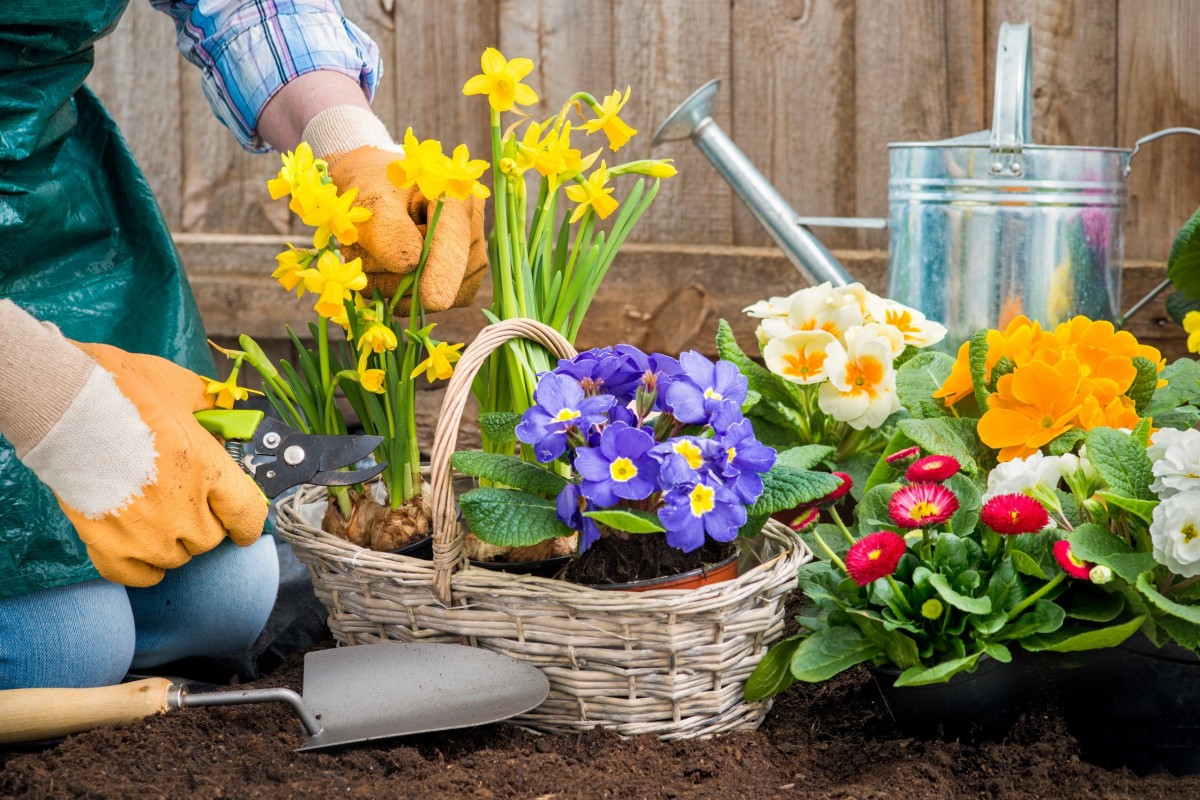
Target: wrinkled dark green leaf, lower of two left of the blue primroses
[[511, 519]]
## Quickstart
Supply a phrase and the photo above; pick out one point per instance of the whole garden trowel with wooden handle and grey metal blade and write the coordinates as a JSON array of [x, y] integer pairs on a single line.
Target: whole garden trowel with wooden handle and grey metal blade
[[358, 694]]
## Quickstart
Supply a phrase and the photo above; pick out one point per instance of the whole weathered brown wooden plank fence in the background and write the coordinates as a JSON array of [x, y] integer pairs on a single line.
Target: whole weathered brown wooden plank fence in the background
[[813, 91]]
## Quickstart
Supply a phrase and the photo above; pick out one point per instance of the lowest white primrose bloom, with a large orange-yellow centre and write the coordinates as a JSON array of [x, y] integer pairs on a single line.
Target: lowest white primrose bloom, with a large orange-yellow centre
[[862, 387]]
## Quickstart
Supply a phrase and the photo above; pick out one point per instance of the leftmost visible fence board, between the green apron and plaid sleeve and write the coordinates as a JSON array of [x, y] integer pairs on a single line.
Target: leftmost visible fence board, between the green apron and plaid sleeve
[[145, 101]]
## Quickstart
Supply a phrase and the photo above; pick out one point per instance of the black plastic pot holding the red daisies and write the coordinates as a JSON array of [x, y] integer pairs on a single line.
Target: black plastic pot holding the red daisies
[[973, 707]]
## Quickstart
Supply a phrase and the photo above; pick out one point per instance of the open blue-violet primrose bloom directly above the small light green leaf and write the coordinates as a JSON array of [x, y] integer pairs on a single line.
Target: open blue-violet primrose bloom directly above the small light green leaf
[[621, 468]]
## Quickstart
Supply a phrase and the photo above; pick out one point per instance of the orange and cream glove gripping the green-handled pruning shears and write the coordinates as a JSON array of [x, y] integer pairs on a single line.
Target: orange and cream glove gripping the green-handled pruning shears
[[145, 485]]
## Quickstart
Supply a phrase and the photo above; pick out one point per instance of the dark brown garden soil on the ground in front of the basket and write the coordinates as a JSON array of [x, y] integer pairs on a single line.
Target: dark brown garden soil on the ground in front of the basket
[[835, 741]]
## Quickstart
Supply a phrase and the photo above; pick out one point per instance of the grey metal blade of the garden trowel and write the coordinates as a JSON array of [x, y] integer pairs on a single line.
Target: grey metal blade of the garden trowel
[[376, 691]]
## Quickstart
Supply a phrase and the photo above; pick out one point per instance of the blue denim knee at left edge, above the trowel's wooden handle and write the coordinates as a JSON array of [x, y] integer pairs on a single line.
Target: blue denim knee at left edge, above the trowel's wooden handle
[[77, 636]]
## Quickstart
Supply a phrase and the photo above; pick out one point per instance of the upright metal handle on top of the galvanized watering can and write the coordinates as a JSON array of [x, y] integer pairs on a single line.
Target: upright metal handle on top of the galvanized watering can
[[1012, 117]]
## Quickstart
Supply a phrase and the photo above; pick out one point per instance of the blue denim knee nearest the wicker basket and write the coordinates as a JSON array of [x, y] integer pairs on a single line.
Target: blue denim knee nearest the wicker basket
[[215, 605]]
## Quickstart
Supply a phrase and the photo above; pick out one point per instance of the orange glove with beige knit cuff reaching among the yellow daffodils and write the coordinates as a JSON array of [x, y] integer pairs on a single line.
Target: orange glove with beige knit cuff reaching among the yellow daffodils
[[358, 149]]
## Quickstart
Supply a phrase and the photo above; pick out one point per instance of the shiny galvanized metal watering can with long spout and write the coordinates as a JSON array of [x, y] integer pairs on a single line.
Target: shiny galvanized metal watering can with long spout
[[982, 227]]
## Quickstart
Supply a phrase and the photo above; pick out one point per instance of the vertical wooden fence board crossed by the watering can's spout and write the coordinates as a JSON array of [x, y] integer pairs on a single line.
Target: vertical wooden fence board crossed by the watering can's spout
[[794, 117]]
